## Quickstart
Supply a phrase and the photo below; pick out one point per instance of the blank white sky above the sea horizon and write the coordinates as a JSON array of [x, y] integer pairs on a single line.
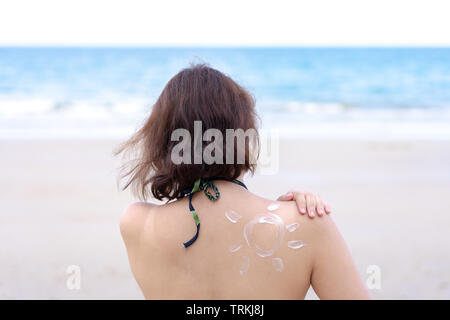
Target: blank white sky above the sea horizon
[[224, 23]]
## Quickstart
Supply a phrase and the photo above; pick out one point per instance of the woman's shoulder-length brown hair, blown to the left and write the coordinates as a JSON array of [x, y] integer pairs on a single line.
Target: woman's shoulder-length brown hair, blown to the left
[[198, 93]]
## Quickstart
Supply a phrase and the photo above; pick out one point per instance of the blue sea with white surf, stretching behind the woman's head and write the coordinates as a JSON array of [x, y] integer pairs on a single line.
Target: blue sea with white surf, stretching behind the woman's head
[[379, 93]]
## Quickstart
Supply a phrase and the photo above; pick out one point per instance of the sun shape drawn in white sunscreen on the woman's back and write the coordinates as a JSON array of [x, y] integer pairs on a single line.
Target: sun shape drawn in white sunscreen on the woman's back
[[277, 238]]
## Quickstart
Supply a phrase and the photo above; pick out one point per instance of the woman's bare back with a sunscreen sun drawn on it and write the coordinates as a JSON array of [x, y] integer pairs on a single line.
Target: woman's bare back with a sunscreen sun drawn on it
[[248, 248]]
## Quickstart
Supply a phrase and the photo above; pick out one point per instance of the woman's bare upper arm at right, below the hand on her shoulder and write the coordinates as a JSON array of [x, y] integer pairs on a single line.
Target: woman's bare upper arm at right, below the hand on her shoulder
[[334, 274]]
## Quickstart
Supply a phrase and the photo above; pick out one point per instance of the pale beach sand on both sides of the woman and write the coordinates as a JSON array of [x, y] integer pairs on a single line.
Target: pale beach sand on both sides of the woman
[[60, 207]]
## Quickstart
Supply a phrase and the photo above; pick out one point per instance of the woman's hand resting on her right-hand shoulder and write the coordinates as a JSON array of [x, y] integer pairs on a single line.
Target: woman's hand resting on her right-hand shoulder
[[306, 203]]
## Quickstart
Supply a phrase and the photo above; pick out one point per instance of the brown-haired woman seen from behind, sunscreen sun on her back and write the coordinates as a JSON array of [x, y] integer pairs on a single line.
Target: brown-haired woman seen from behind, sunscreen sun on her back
[[248, 247]]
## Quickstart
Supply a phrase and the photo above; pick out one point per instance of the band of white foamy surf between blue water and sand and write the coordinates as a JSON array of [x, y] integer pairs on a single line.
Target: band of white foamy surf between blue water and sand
[[44, 118]]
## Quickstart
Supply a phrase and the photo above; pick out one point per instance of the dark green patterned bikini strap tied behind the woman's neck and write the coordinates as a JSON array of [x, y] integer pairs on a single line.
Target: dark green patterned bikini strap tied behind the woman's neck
[[204, 184]]
